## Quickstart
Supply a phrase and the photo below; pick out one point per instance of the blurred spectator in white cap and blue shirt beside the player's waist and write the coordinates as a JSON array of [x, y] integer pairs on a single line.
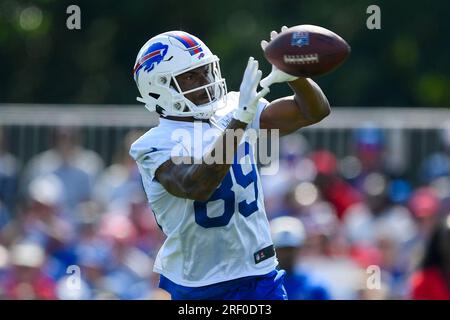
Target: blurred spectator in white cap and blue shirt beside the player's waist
[[288, 236]]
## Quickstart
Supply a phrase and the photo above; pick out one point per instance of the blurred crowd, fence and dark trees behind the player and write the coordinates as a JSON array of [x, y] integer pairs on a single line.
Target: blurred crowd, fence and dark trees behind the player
[[369, 186]]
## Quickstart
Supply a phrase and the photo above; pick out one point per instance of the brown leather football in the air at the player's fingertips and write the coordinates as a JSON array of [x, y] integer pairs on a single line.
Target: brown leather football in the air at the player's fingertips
[[307, 51]]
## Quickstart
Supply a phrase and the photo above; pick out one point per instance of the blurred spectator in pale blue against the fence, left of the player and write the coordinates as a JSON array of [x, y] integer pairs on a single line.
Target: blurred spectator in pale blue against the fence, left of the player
[[75, 166]]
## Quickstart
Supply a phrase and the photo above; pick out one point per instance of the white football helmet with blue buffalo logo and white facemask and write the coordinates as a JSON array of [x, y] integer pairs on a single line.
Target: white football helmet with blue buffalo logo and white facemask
[[166, 56]]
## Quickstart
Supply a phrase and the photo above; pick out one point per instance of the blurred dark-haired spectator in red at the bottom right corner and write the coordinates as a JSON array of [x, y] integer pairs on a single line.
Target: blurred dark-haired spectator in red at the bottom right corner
[[432, 280]]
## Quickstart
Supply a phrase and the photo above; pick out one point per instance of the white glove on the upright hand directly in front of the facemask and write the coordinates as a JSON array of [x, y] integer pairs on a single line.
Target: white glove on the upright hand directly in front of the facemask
[[248, 97]]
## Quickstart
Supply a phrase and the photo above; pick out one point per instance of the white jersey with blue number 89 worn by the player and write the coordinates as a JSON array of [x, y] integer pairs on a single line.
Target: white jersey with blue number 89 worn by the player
[[214, 241]]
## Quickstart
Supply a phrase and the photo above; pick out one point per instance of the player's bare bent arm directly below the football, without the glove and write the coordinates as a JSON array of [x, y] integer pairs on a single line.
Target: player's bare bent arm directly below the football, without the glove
[[307, 106]]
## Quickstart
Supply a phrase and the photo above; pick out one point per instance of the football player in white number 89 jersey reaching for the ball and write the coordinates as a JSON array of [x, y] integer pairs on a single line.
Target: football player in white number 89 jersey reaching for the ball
[[218, 243]]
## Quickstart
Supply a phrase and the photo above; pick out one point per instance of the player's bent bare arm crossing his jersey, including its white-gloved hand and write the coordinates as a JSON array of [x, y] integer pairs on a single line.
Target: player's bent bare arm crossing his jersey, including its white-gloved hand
[[198, 181]]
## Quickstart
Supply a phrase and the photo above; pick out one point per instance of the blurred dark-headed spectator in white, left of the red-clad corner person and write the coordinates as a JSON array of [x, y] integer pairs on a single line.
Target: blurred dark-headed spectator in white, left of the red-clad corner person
[[387, 227]]
